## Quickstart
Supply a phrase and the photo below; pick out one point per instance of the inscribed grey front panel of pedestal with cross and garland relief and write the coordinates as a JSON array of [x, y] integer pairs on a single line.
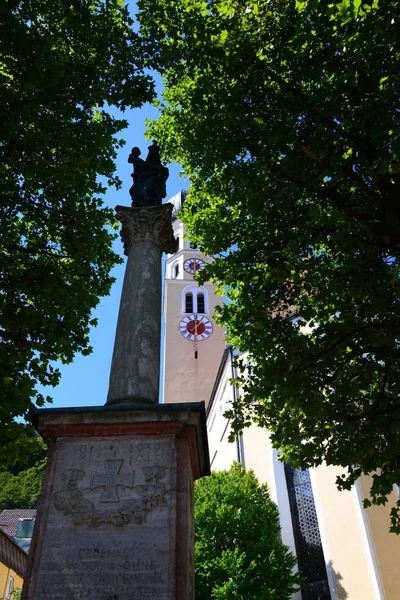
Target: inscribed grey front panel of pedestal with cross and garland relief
[[108, 529]]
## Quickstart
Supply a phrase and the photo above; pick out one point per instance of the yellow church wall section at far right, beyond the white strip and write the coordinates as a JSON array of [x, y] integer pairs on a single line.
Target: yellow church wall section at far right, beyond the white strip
[[386, 545]]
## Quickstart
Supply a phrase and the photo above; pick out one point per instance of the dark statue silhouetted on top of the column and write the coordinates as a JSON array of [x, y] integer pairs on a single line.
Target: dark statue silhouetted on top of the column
[[149, 177]]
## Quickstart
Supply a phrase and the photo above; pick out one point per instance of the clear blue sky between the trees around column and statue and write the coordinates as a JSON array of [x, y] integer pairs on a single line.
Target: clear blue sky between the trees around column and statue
[[85, 381]]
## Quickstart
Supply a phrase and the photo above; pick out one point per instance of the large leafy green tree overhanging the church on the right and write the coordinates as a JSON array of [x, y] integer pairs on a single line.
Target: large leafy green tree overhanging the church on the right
[[285, 115]]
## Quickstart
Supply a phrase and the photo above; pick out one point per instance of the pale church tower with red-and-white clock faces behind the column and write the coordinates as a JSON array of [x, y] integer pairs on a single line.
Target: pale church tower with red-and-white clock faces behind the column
[[193, 343]]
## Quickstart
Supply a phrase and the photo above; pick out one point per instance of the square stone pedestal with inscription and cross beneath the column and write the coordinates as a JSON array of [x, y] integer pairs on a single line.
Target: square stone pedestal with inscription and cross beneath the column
[[115, 519]]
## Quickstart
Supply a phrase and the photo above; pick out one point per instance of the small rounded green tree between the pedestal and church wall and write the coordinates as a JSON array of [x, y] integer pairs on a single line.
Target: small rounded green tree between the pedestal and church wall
[[238, 551]]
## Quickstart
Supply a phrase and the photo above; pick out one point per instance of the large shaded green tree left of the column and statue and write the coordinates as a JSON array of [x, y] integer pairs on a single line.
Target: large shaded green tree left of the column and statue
[[62, 66]]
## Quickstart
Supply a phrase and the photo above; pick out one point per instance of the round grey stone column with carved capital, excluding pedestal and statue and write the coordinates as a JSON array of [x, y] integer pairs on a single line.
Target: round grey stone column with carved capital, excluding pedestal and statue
[[135, 369]]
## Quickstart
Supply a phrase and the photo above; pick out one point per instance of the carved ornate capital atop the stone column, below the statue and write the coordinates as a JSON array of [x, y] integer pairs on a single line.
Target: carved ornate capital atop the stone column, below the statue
[[147, 224]]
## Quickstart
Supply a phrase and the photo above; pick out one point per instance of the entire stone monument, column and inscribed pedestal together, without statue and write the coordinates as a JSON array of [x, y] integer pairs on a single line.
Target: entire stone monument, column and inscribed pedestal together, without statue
[[115, 517]]
